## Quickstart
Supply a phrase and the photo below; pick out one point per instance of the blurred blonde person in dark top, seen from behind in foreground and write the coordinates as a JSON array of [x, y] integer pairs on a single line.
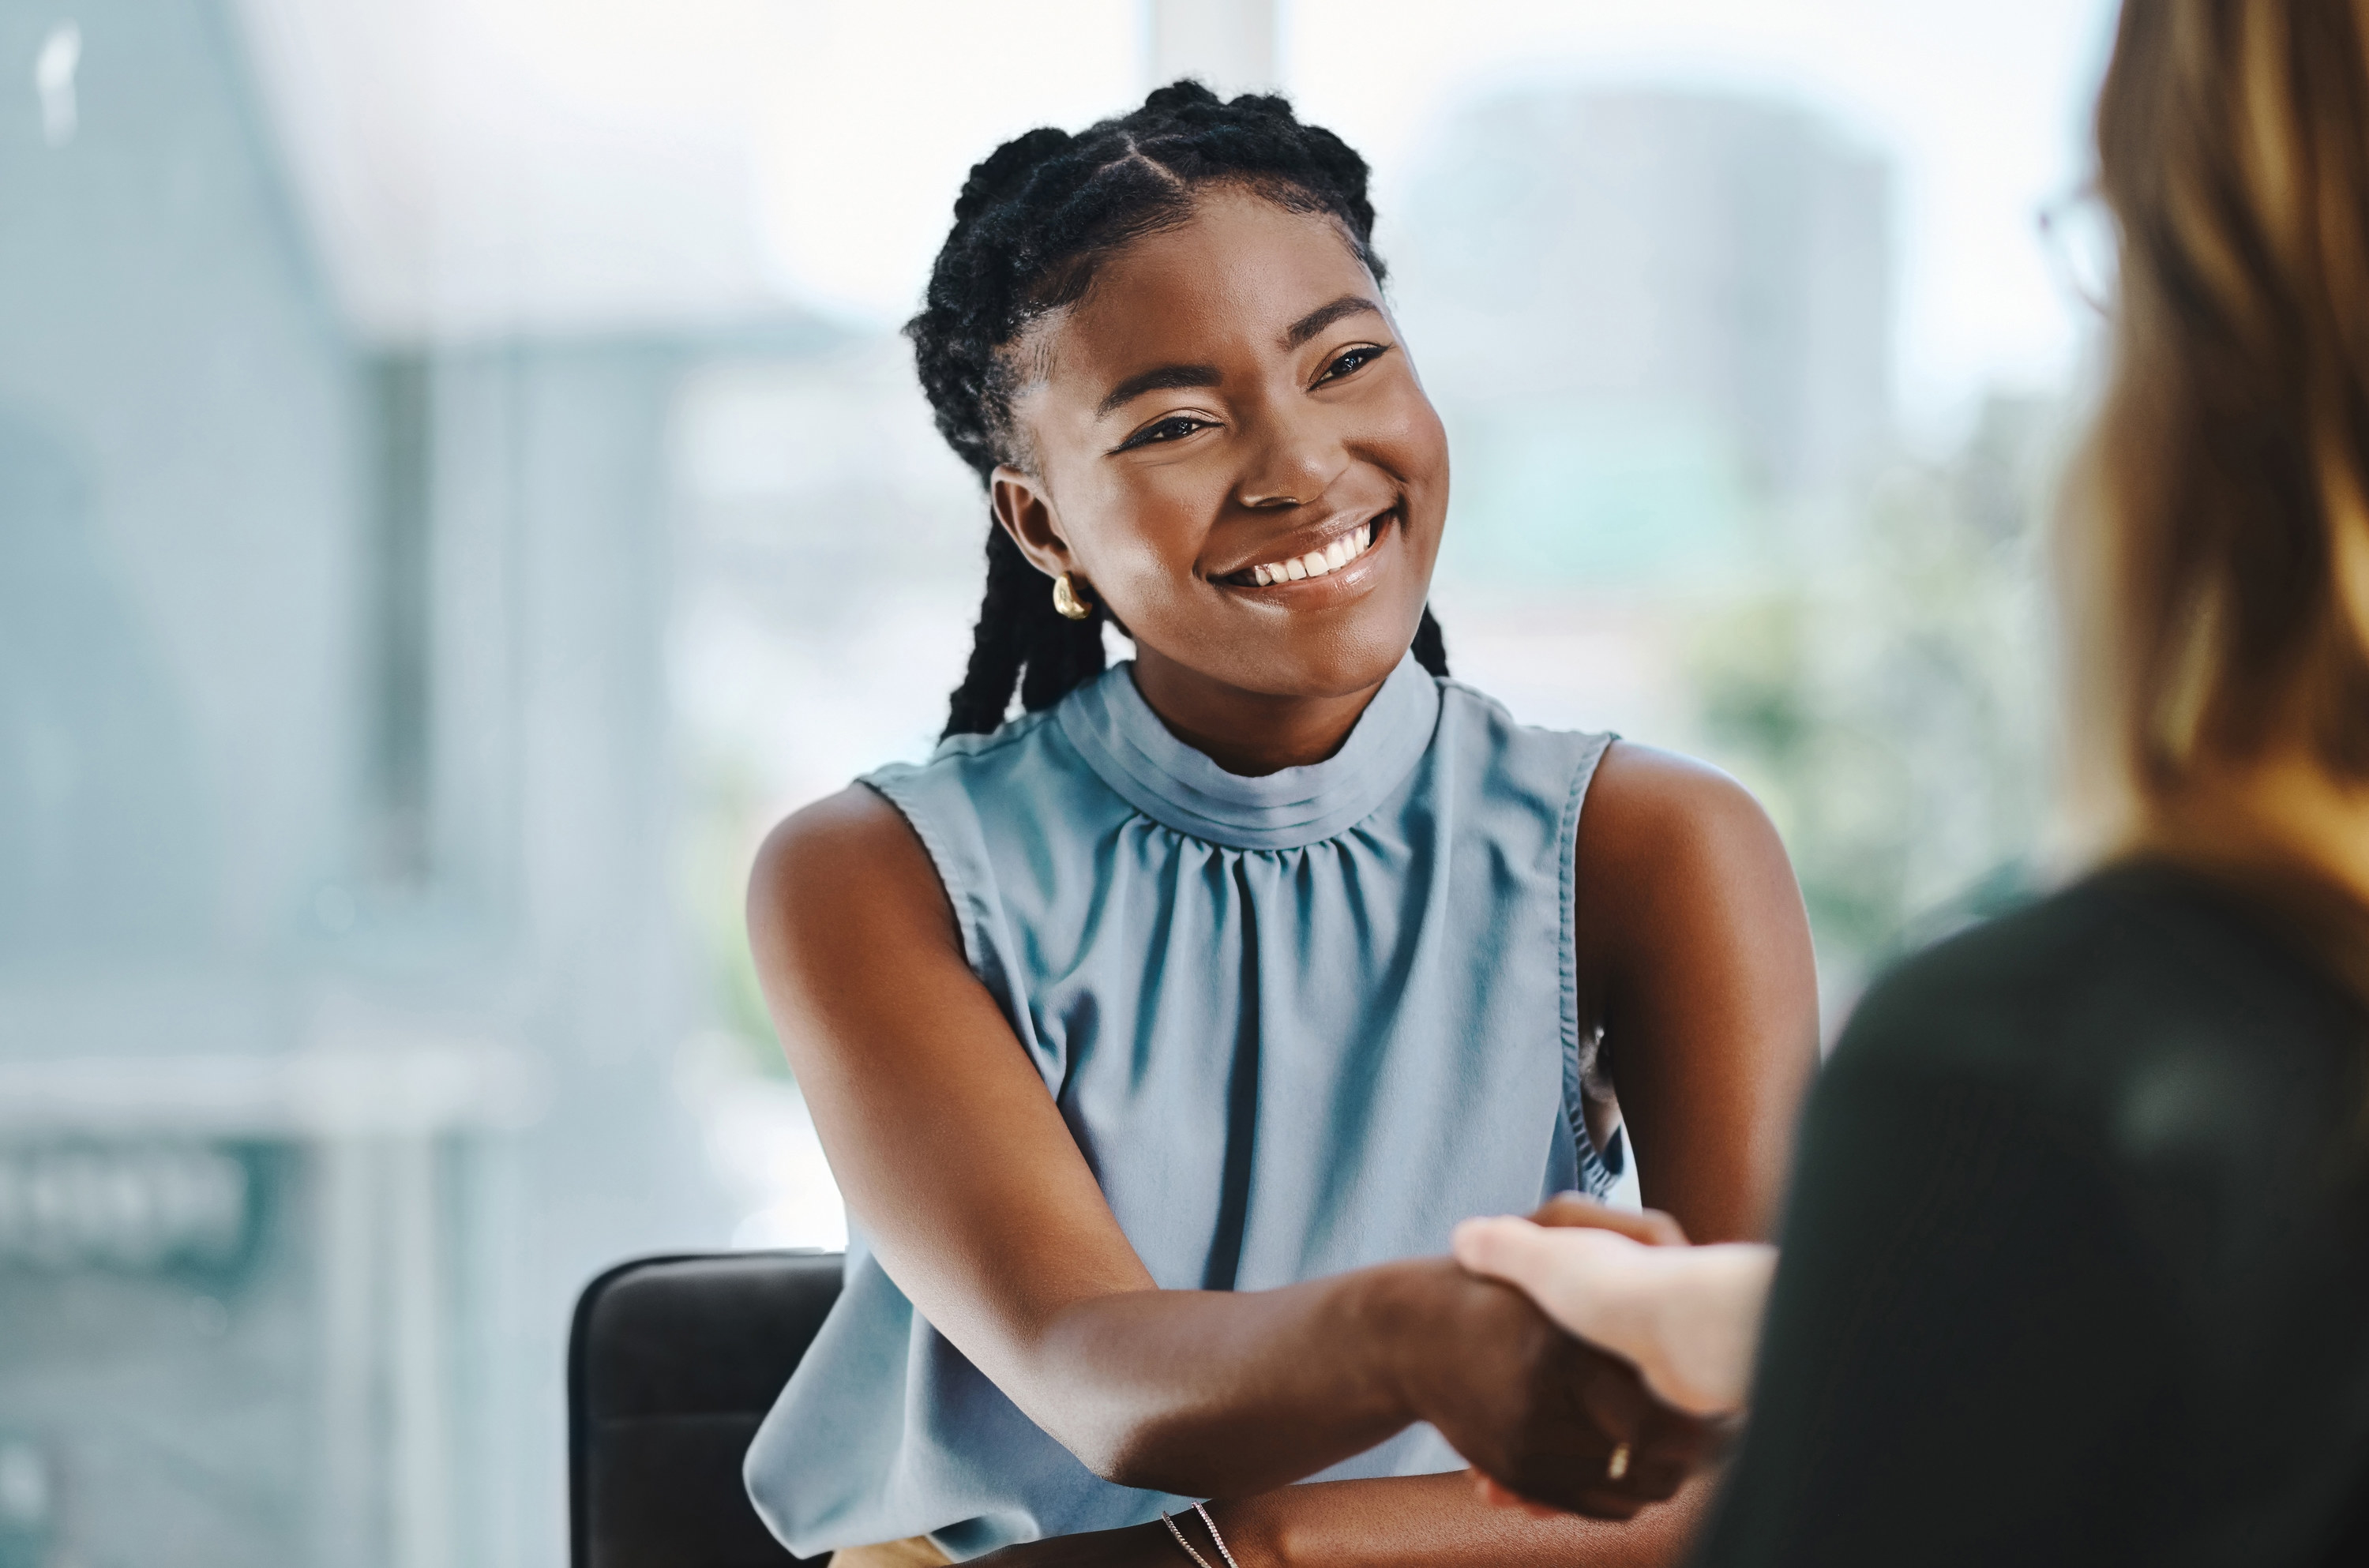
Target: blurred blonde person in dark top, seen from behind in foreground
[[2076, 1266]]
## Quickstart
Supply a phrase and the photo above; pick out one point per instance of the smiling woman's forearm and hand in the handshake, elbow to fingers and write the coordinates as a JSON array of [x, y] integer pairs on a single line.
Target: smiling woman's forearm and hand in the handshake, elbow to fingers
[[1212, 1394]]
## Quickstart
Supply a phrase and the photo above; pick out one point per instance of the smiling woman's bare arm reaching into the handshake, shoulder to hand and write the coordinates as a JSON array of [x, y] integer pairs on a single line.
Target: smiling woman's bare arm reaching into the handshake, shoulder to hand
[[980, 1204]]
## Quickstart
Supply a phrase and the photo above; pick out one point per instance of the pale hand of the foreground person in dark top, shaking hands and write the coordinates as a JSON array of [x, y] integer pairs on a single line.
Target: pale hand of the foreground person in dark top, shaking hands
[[1686, 1316]]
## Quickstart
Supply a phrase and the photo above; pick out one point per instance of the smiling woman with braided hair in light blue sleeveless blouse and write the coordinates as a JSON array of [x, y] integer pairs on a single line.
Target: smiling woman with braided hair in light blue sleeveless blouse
[[1160, 1036]]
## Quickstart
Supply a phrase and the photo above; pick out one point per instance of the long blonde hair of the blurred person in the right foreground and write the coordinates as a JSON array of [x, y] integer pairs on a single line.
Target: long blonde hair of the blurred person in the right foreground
[[2221, 558]]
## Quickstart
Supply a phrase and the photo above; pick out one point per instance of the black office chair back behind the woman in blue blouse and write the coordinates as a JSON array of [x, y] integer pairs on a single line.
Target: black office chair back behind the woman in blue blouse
[[672, 1368]]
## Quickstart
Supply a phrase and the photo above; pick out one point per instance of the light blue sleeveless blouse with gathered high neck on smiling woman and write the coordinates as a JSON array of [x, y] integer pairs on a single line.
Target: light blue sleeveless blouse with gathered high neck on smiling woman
[[1297, 1024]]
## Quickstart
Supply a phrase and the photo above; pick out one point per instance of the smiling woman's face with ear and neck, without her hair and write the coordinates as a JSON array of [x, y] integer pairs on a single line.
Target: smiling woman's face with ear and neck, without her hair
[[1205, 454]]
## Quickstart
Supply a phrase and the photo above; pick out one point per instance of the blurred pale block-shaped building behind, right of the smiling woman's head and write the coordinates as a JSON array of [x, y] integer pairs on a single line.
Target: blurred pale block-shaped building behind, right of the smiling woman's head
[[1650, 319]]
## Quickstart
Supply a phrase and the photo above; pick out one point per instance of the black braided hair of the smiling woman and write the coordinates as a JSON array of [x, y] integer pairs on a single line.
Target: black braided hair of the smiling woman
[[1032, 224]]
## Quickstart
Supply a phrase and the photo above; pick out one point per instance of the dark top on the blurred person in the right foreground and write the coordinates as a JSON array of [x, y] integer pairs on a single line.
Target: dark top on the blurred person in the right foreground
[[2076, 1266]]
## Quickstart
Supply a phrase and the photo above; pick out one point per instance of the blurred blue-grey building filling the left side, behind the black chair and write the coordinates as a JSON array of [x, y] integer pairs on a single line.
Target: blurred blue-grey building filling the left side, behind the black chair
[[340, 975]]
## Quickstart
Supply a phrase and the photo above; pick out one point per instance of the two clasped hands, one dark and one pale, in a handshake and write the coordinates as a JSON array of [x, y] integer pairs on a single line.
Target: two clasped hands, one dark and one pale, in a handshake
[[1631, 1399]]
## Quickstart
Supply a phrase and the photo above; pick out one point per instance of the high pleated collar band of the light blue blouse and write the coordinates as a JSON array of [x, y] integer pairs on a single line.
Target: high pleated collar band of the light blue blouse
[[1160, 776]]
